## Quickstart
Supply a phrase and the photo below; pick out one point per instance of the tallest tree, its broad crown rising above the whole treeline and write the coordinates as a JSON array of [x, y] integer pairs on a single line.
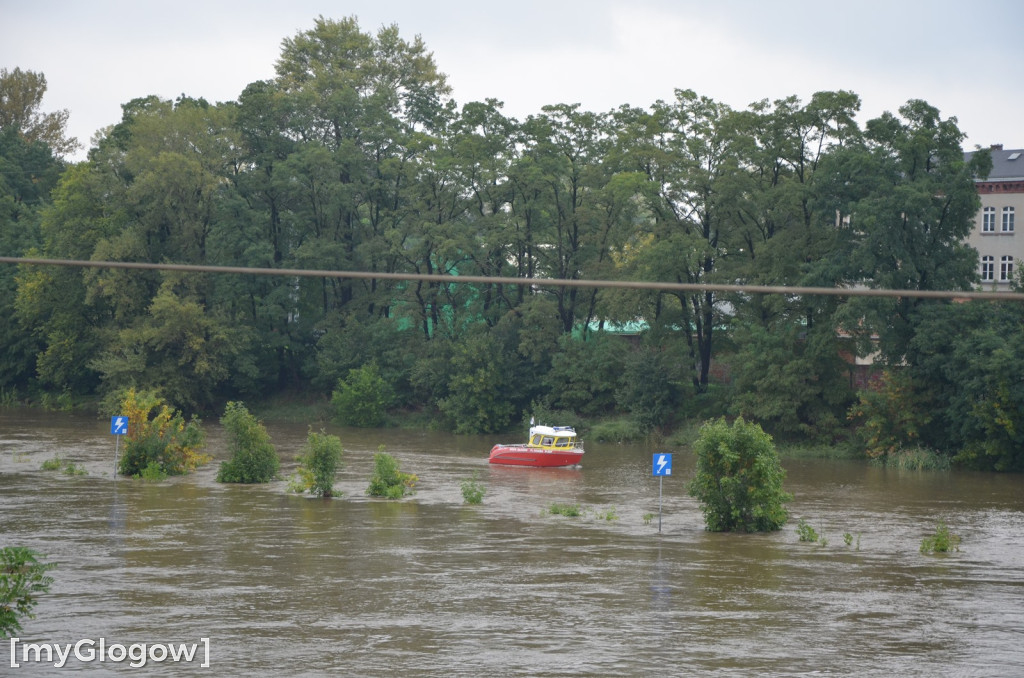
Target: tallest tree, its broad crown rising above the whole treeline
[[362, 104]]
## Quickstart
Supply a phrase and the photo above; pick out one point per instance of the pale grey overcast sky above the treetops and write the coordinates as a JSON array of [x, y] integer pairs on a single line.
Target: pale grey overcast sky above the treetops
[[965, 58]]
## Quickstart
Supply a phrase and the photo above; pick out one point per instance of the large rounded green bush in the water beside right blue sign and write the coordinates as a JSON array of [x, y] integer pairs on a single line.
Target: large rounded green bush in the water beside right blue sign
[[739, 479]]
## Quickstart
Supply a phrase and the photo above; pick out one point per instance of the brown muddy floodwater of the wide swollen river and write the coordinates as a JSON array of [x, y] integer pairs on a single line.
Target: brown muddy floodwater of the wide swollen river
[[433, 587]]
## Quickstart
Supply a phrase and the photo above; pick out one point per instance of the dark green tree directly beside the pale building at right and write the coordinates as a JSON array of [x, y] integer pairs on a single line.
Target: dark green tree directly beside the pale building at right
[[907, 201]]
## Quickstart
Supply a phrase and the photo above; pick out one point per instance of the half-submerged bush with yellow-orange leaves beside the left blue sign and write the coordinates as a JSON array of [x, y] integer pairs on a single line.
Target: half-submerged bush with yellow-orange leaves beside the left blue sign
[[160, 442]]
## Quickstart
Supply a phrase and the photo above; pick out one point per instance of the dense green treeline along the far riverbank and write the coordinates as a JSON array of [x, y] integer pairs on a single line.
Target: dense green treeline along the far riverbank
[[357, 158]]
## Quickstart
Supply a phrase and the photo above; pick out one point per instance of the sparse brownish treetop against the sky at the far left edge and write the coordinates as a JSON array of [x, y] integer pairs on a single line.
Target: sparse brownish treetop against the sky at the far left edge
[[21, 98]]
